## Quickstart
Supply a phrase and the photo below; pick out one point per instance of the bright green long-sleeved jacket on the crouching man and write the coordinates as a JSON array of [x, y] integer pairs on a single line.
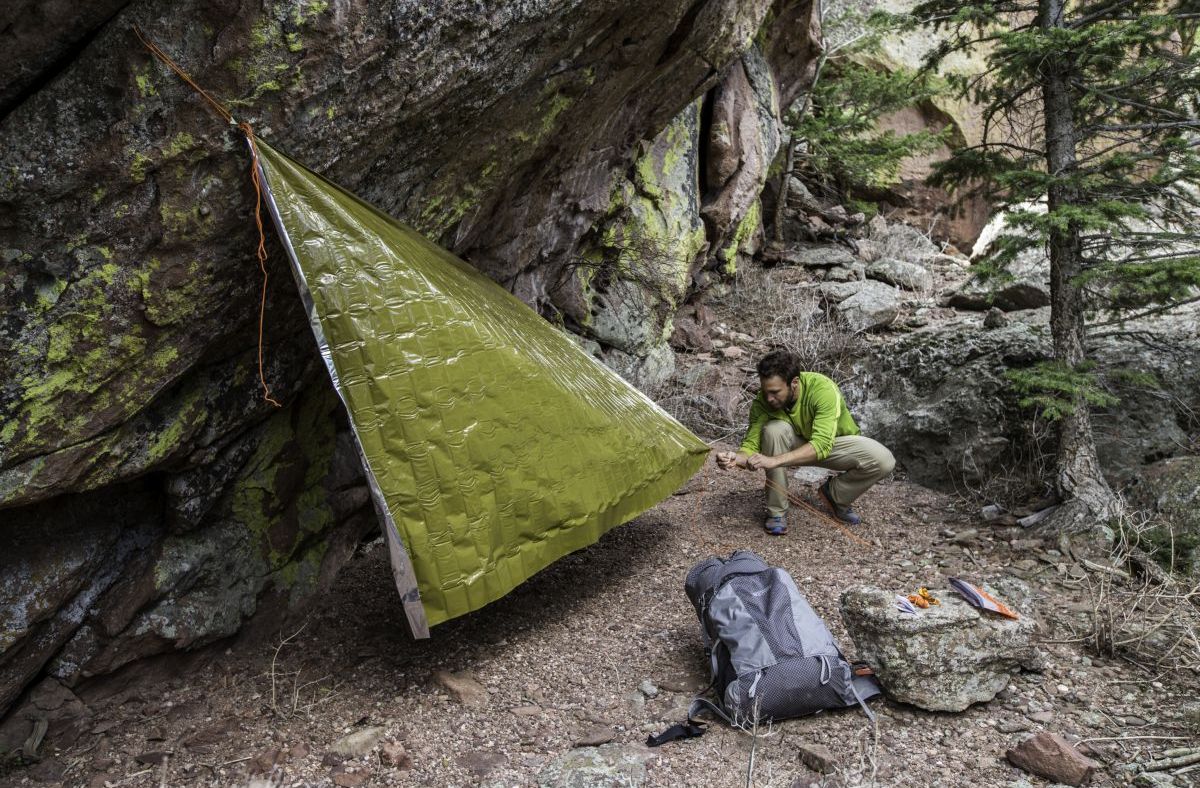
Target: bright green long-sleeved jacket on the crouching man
[[819, 417]]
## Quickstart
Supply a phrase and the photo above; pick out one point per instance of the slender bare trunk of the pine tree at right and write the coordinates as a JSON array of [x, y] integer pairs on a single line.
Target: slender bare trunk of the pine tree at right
[[1089, 500]]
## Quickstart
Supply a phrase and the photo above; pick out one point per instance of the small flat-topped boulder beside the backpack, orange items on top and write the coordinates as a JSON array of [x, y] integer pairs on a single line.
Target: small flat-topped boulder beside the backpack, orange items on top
[[945, 658]]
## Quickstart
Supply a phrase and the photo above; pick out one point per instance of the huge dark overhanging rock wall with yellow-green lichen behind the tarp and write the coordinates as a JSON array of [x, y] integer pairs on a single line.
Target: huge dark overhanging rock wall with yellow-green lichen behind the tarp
[[152, 500]]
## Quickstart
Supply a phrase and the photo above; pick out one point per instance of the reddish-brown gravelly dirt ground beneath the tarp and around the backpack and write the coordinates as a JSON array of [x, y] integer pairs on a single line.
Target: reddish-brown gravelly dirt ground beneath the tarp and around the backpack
[[563, 660]]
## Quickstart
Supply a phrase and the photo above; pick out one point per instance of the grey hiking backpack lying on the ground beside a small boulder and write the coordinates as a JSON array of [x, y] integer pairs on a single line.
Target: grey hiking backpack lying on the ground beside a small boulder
[[772, 657]]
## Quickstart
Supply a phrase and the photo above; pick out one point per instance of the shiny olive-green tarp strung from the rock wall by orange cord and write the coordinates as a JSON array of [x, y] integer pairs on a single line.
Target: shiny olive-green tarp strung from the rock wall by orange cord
[[494, 446]]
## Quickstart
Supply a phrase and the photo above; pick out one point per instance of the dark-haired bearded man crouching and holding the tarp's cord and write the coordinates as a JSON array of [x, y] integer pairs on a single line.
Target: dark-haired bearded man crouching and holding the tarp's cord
[[801, 419]]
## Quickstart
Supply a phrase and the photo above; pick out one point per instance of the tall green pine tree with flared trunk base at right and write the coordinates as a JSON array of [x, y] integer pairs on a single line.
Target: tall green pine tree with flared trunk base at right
[[1091, 139]]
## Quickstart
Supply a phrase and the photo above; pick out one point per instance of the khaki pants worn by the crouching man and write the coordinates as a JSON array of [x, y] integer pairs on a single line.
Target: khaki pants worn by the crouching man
[[862, 461]]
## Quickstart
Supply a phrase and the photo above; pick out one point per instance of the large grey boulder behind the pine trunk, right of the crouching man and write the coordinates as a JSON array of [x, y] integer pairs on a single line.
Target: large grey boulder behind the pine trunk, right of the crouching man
[[939, 398]]
